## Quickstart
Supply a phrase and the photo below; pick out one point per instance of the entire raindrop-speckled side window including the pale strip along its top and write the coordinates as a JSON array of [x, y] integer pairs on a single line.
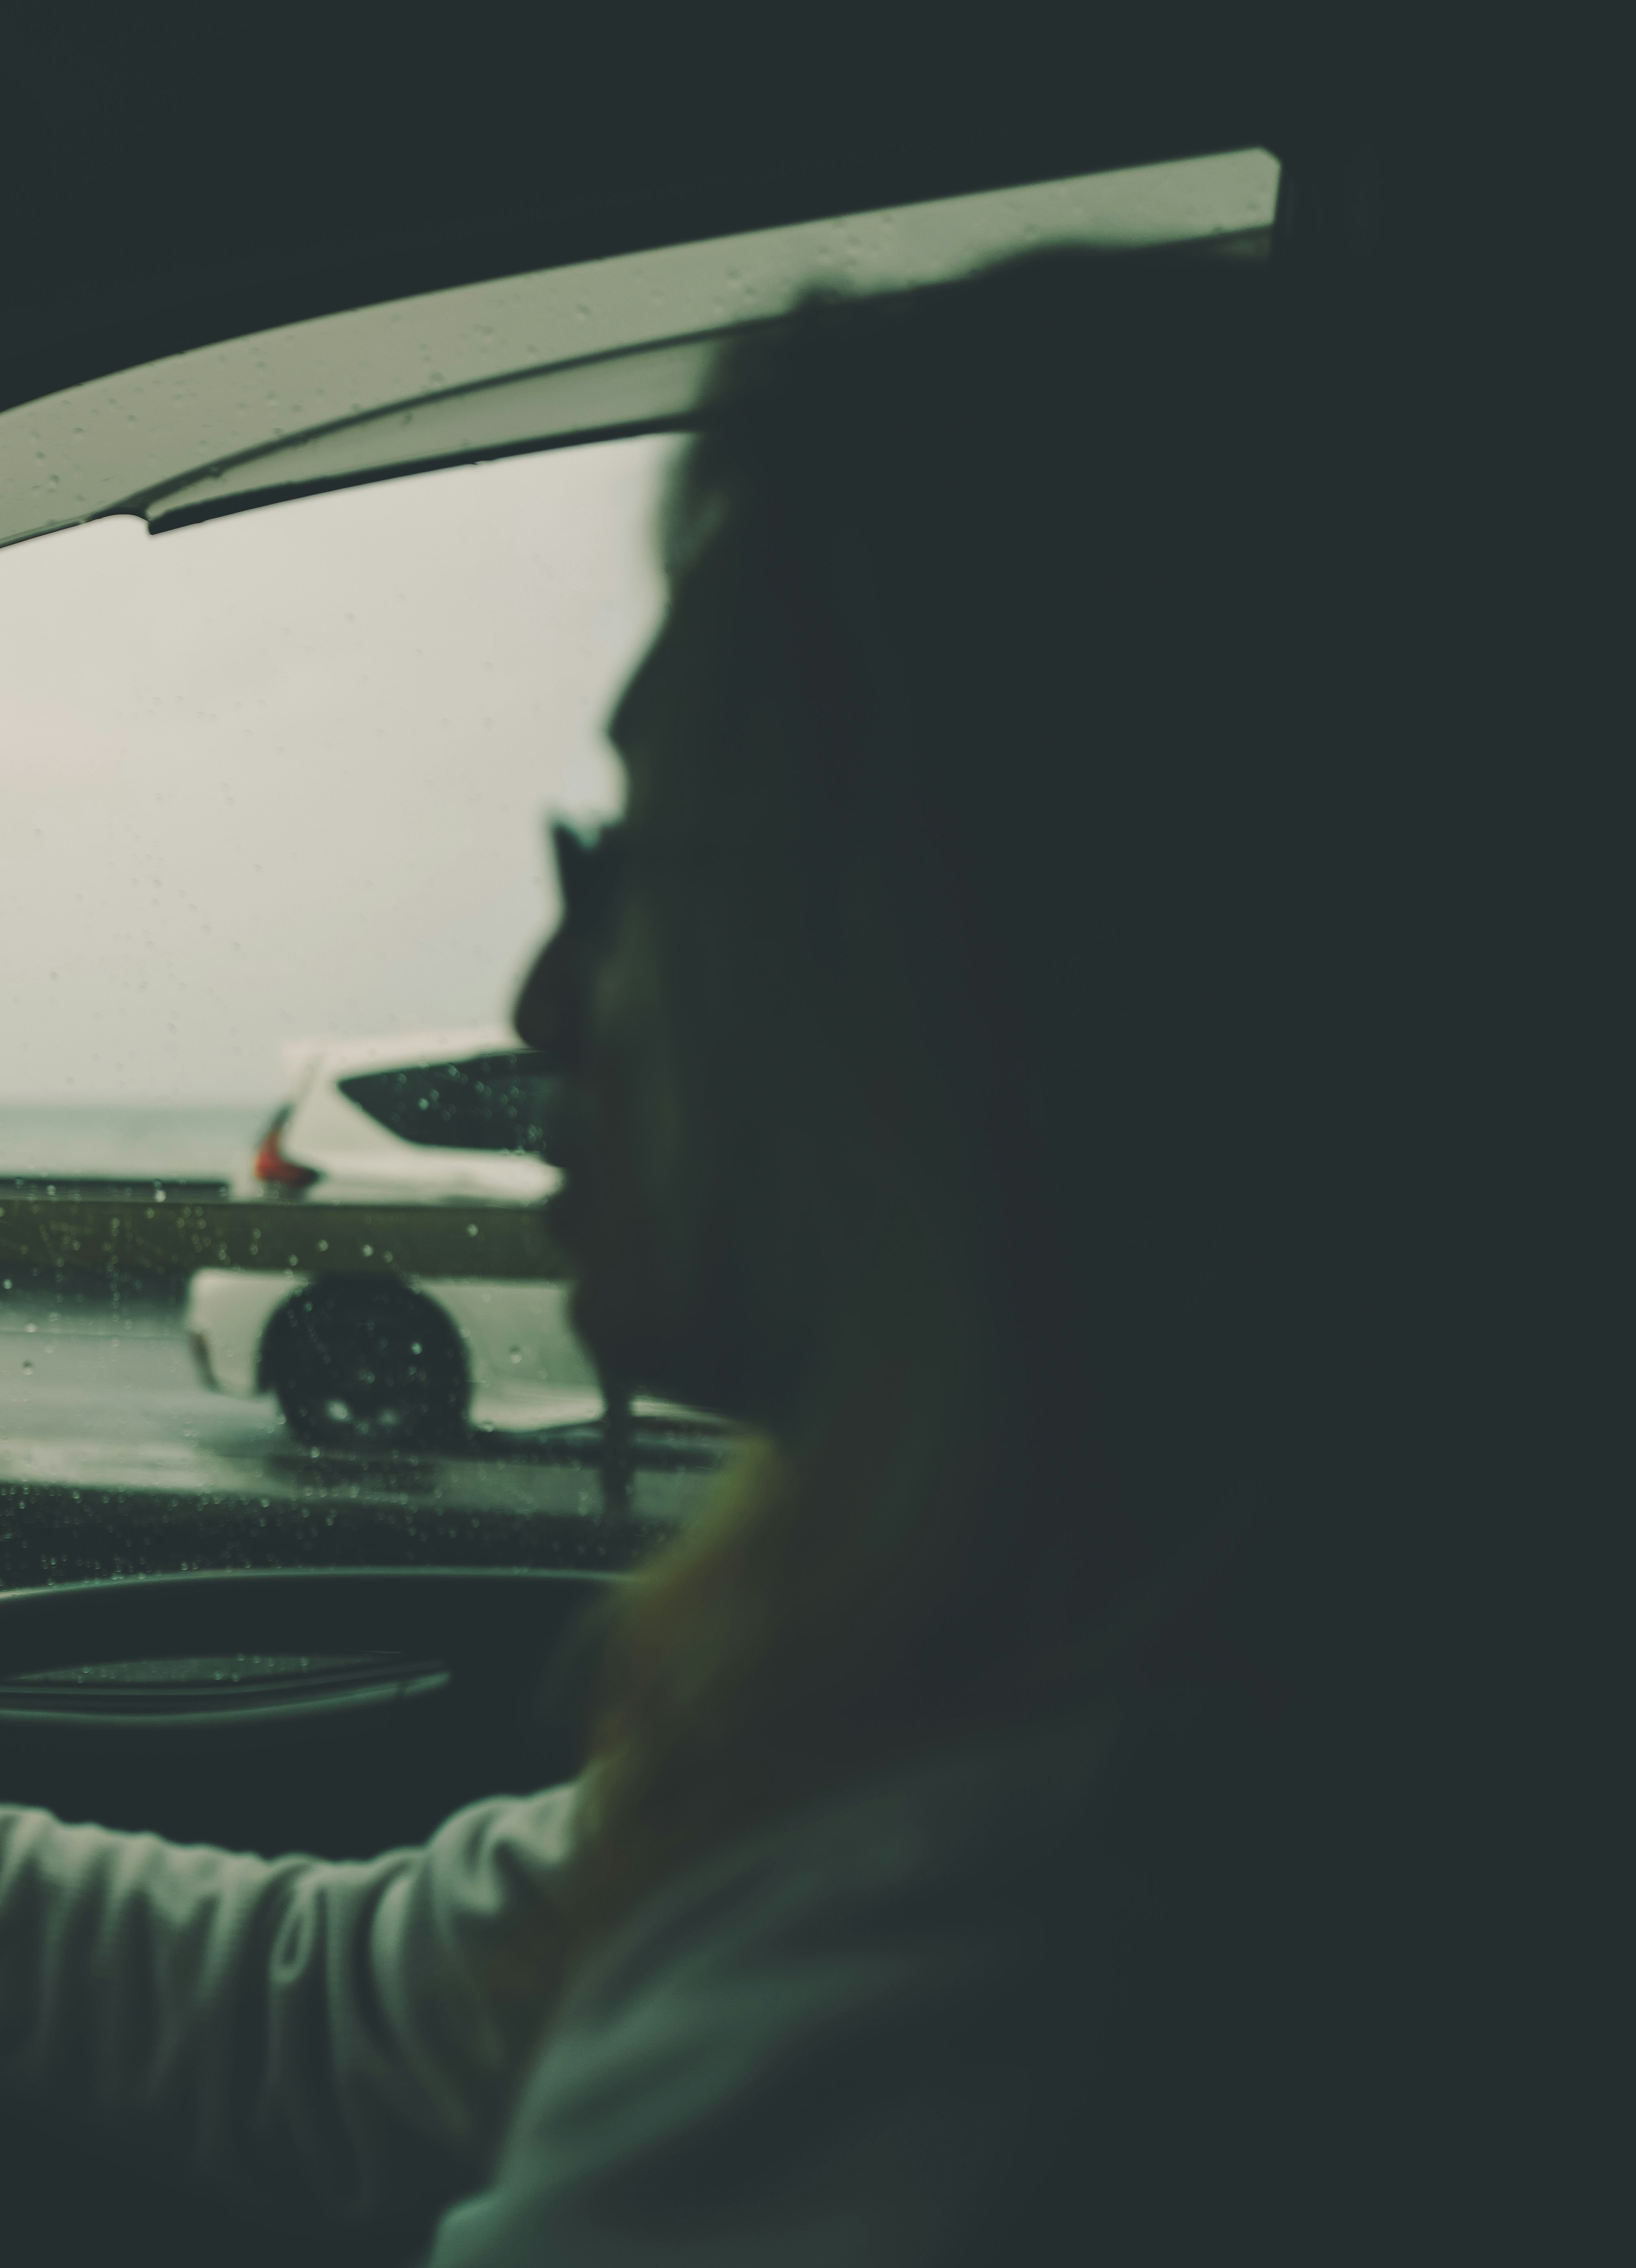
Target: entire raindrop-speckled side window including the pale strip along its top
[[273, 1278]]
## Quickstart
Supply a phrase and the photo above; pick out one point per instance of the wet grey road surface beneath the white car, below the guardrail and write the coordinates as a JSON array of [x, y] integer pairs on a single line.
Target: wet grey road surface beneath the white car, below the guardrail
[[106, 1394]]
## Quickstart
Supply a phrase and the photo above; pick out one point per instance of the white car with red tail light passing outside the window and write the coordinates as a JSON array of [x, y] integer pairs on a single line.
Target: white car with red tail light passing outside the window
[[398, 1362]]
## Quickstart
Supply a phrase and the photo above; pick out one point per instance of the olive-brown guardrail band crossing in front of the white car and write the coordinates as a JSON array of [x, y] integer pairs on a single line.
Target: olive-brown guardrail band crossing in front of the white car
[[165, 1237]]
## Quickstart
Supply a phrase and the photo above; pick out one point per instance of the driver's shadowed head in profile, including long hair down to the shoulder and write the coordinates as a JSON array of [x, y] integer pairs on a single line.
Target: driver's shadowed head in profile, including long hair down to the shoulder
[[979, 1029]]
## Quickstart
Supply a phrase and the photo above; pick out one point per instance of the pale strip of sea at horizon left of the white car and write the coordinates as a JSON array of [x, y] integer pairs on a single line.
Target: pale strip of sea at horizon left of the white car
[[130, 1140]]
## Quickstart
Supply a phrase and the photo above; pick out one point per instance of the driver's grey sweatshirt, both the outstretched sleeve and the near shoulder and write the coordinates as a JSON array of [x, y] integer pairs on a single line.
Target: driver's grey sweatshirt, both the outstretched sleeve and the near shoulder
[[823, 2045]]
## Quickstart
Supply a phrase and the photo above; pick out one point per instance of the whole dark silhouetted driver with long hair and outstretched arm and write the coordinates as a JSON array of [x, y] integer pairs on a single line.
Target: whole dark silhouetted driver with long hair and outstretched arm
[[1031, 1056]]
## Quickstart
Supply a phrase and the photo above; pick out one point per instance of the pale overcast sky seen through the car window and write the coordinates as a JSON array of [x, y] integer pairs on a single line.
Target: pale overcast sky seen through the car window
[[285, 775]]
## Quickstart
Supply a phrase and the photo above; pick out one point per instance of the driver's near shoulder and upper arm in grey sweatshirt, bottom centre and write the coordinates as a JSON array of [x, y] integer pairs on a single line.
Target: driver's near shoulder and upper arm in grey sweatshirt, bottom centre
[[861, 2008]]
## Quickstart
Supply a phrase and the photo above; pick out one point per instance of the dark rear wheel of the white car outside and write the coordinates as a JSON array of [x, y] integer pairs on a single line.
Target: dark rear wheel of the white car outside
[[366, 1366]]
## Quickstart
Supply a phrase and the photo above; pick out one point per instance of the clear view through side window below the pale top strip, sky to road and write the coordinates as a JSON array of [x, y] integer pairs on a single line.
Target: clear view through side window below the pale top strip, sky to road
[[269, 1149]]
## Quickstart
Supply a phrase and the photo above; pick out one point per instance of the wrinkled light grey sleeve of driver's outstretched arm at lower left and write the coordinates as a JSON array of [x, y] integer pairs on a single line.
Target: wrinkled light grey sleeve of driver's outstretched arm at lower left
[[278, 2029]]
